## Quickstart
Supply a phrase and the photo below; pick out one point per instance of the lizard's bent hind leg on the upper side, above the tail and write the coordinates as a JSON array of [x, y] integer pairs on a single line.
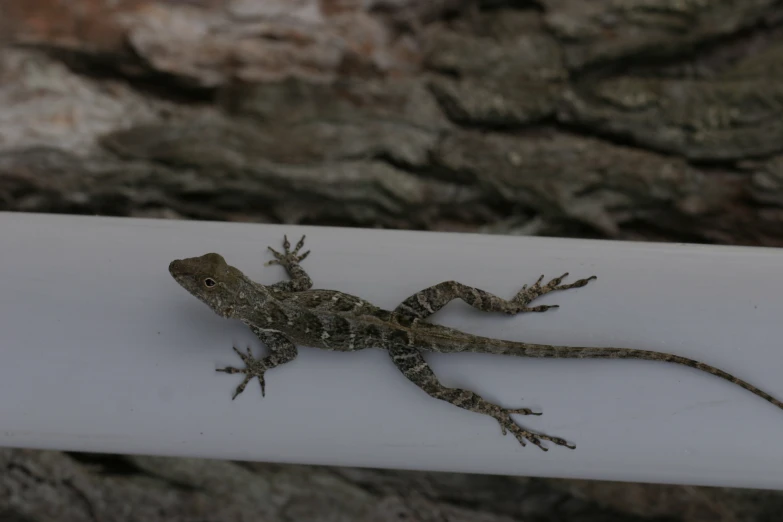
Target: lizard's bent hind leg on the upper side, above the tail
[[428, 301]]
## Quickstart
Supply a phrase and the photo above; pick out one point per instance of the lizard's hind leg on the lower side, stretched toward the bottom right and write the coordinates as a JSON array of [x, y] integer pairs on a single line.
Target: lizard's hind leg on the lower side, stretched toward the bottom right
[[412, 364]]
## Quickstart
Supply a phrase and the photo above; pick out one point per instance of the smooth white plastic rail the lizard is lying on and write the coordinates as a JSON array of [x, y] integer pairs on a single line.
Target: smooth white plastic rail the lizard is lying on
[[100, 350]]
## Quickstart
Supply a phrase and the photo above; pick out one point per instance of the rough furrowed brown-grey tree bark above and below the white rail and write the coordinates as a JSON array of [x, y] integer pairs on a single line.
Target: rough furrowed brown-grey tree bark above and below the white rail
[[642, 119]]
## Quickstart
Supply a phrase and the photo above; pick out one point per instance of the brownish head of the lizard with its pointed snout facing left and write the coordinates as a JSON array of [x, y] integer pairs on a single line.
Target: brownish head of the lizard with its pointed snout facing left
[[211, 280]]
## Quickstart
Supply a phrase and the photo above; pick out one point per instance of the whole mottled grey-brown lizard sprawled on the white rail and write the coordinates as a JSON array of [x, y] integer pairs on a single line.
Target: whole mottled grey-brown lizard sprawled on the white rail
[[290, 313]]
